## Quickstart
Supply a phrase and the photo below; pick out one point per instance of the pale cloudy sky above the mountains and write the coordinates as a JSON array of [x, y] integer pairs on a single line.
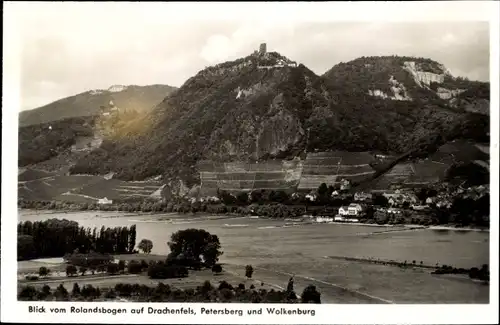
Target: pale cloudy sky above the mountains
[[71, 49]]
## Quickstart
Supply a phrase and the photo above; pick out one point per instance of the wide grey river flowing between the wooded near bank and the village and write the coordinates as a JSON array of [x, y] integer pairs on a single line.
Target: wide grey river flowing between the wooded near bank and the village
[[278, 249]]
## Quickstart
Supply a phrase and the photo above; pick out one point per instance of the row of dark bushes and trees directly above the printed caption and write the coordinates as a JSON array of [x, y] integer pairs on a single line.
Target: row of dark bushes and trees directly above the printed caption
[[206, 292]]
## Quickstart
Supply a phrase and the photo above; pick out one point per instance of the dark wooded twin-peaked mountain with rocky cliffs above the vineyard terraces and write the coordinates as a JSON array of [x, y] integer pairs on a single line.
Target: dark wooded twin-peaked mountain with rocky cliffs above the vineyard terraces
[[266, 107]]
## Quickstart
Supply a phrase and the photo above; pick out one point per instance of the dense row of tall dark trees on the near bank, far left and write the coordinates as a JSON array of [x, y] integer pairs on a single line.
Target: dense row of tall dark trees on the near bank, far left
[[55, 238]]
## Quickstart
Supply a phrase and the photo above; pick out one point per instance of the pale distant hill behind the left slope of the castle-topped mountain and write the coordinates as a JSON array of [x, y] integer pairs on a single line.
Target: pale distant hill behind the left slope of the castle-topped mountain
[[136, 98]]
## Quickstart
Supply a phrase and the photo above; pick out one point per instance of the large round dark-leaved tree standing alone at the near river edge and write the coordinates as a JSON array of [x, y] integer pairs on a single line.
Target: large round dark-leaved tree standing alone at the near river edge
[[196, 245]]
